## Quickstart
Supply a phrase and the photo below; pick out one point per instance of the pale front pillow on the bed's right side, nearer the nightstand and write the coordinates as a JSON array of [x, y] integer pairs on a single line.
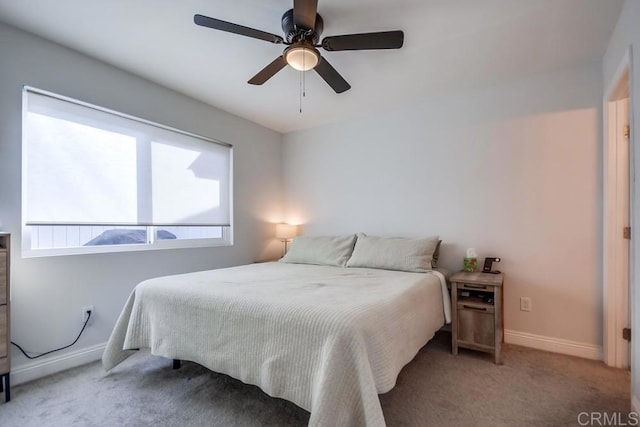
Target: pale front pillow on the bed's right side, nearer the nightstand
[[394, 253]]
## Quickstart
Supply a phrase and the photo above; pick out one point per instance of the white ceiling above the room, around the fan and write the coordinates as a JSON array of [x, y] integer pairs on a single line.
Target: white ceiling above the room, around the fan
[[449, 45]]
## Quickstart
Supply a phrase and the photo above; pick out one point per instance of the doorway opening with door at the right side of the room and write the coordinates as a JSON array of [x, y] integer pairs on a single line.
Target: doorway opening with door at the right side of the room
[[618, 168]]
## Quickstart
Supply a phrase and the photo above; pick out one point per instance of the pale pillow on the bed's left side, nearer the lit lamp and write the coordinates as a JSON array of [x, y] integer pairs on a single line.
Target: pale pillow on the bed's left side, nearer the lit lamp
[[320, 250]]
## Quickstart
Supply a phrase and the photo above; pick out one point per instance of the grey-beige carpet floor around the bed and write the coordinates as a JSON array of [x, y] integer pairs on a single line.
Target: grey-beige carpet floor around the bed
[[532, 388]]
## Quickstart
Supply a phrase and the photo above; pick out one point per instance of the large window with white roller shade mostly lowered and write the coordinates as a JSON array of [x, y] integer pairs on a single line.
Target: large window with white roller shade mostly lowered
[[95, 180]]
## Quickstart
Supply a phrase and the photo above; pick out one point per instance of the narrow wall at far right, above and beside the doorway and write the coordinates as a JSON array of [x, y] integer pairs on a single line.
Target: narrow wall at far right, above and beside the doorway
[[627, 36]]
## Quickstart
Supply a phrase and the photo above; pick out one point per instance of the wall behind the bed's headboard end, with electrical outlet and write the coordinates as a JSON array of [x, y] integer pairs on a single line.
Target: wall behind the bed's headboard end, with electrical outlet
[[512, 170]]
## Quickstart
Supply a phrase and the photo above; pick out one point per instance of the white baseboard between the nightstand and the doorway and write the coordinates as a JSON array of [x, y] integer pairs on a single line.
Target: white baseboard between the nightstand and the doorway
[[555, 345]]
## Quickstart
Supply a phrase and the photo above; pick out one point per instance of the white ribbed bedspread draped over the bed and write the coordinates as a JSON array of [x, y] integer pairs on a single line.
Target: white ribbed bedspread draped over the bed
[[328, 339]]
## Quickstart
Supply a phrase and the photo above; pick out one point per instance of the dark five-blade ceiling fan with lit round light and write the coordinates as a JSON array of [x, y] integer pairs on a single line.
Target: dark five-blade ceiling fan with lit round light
[[302, 27]]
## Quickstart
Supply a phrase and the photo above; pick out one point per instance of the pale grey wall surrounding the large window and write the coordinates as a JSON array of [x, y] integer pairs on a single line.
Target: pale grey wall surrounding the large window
[[49, 293]]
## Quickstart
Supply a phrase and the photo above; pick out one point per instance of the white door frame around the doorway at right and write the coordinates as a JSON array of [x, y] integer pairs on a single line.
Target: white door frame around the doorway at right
[[616, 300]]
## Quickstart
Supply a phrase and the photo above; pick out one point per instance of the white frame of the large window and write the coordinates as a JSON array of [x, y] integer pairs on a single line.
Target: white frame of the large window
[[152, 242]]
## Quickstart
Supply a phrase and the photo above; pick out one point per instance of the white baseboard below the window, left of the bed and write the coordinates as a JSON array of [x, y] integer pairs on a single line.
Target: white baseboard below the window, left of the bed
[[38, 369]]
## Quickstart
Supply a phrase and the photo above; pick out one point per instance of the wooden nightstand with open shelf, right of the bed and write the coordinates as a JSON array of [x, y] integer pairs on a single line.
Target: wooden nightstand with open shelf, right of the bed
[[476, 302]]
